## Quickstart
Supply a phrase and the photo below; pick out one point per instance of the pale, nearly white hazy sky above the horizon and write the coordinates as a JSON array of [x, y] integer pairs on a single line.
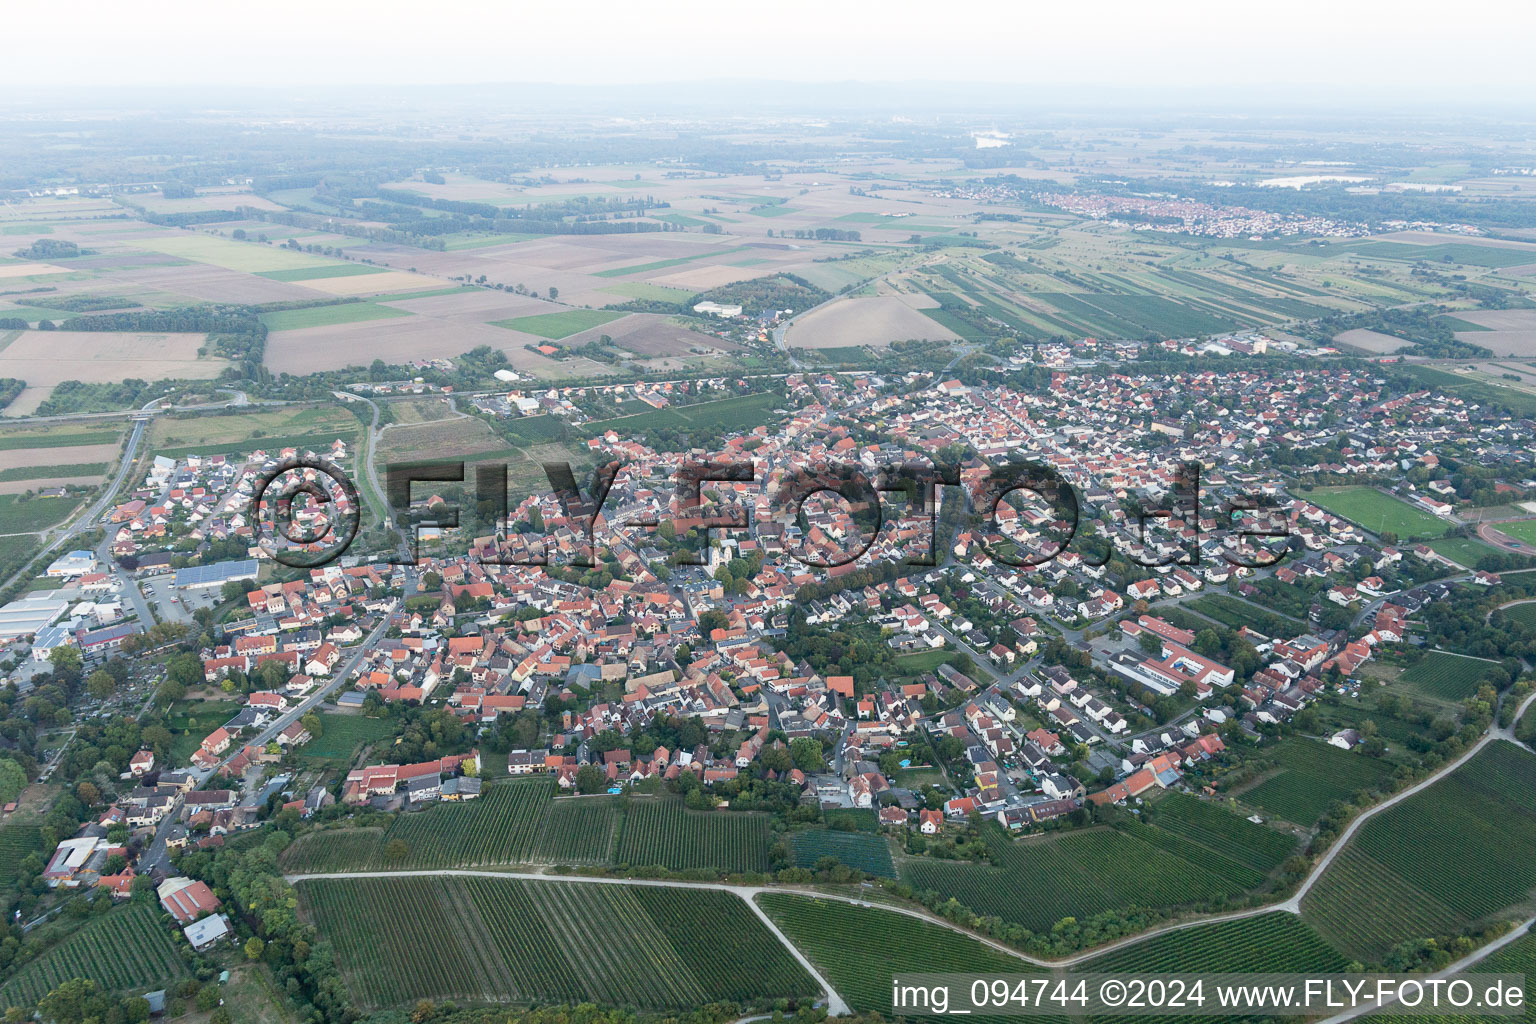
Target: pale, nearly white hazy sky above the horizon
[[1465, 48]]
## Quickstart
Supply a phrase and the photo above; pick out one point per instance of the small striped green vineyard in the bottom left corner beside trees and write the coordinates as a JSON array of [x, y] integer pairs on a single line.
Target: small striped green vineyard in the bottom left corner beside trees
[[128, 950]]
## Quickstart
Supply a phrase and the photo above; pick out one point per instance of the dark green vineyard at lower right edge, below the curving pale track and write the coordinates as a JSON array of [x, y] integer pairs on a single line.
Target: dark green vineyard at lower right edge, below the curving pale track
[[1449, 857]]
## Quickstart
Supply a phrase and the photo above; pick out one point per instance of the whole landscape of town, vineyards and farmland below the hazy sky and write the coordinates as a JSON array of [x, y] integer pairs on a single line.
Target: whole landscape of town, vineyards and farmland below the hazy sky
[[644, 573]]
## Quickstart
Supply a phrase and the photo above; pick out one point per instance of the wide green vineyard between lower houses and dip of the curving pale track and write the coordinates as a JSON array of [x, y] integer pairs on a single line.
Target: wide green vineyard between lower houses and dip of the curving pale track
[[1079, 874]]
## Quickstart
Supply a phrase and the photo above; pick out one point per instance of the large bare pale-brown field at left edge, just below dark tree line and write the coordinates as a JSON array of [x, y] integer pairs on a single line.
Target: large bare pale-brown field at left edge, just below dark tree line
[[47, 358]]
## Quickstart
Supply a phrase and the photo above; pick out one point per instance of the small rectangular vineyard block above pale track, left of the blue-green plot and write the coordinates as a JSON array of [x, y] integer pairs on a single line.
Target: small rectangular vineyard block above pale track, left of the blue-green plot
[[667, 834]]
